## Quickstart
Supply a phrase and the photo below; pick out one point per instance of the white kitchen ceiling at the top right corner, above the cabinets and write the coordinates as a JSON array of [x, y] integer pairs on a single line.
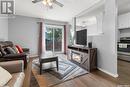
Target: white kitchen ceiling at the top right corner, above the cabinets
[[123, 6]]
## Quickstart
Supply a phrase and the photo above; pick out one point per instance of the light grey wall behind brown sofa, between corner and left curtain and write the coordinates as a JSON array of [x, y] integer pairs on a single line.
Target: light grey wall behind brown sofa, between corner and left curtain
[[24, 31]]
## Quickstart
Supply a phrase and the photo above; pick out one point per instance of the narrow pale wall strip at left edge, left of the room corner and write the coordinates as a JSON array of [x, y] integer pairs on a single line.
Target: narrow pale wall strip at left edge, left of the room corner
[[3, 29]]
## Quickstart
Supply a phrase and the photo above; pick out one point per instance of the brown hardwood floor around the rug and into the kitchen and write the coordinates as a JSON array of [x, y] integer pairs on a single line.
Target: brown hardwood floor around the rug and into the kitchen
[[95, 79]]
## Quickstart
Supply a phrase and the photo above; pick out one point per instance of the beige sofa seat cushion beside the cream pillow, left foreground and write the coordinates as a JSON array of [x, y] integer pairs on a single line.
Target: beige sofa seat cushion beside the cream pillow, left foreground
[[17, 80]]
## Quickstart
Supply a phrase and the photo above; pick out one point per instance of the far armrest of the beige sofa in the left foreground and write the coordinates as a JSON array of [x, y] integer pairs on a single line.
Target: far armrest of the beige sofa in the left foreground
[[13, 66]]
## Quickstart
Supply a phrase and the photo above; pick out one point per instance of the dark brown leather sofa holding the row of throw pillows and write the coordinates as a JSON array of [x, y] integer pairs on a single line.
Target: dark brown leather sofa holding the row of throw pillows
[[12, 57]]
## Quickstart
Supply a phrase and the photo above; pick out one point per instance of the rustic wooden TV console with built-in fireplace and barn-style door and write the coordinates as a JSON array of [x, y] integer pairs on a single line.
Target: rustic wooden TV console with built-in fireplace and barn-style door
[[88, 57]]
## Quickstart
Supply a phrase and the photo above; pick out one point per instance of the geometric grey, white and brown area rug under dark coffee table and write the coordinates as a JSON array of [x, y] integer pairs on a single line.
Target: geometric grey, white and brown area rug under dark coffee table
[[67, 71]]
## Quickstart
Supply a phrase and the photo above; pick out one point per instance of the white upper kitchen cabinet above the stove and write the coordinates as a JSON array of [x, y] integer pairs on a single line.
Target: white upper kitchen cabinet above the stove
[[124, 21]]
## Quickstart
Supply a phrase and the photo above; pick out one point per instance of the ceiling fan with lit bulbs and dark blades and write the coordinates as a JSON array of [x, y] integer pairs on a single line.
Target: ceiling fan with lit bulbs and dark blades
[[49, 3]]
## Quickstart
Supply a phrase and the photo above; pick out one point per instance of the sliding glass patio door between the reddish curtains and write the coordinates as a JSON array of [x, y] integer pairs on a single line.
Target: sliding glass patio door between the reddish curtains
[[54, 38]]
